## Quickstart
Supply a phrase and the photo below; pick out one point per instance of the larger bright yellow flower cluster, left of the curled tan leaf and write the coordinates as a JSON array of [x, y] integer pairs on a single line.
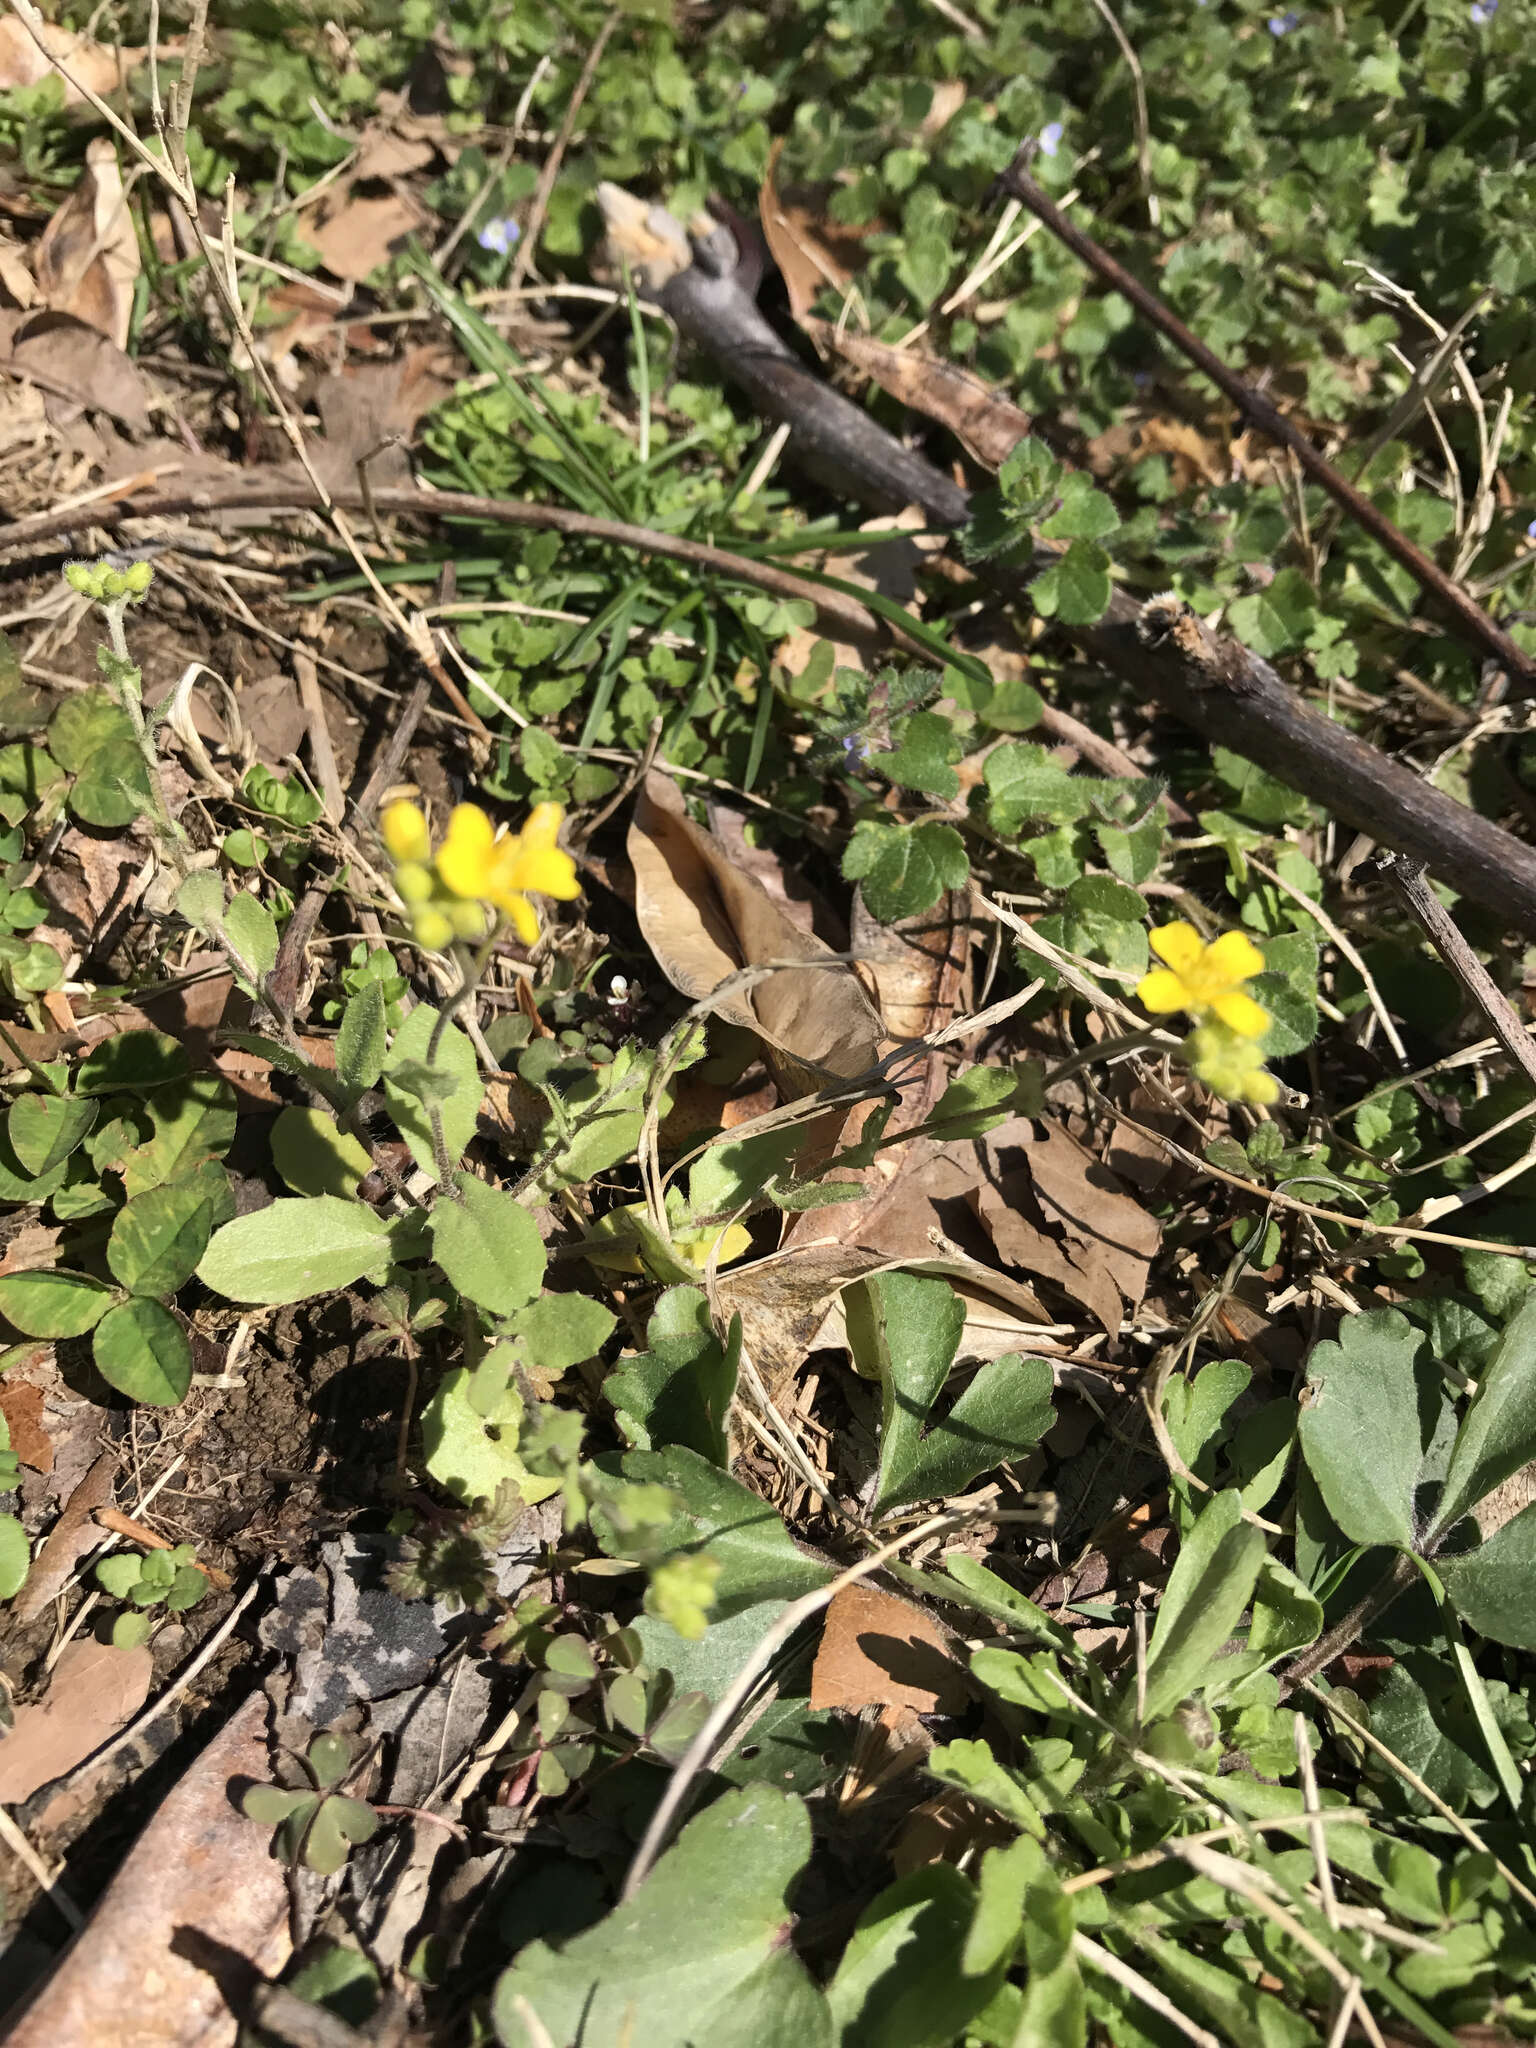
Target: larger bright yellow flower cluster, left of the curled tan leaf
[[476, 869]]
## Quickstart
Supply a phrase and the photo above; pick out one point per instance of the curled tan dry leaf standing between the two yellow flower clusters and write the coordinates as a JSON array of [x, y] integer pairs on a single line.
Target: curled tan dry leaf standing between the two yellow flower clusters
[[706, 919]]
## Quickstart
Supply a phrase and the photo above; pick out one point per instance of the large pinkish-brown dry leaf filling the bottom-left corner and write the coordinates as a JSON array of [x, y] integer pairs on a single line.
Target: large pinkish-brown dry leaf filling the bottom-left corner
[[200, 1891]]
